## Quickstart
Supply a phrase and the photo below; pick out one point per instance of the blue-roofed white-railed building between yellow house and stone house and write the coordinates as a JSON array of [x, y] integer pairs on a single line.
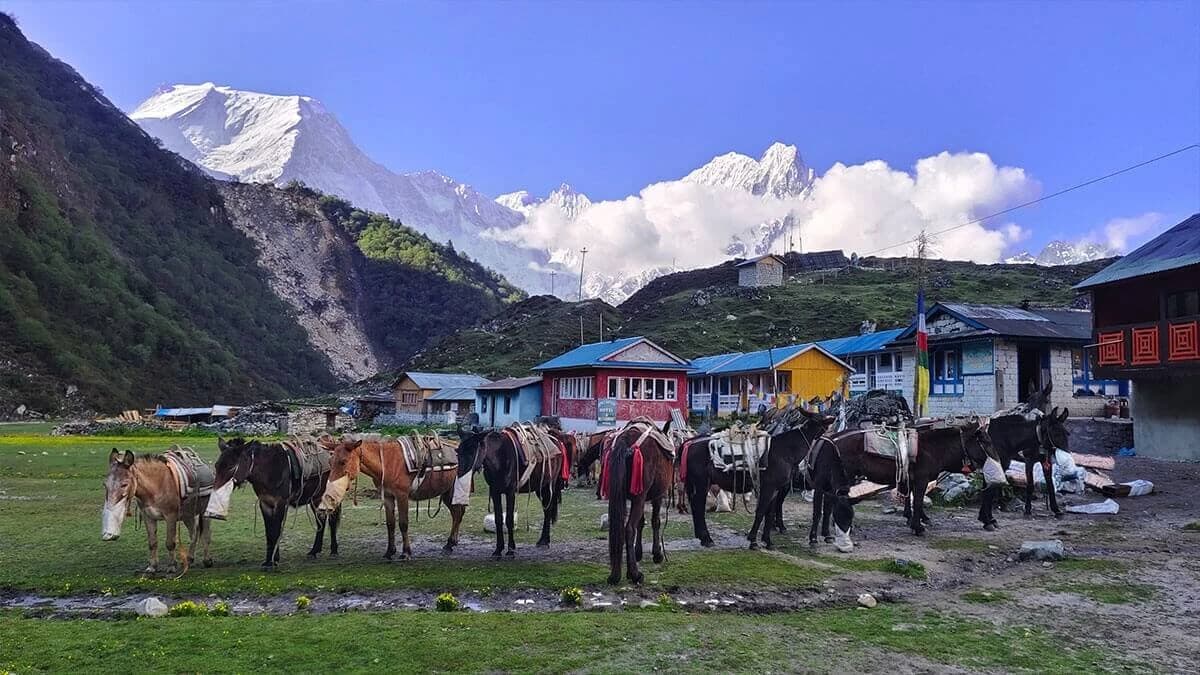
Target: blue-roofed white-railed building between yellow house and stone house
[[878, 363]]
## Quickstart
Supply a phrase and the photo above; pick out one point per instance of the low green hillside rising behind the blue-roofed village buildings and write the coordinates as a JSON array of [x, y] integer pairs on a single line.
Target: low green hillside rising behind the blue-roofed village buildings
[[691, 315]]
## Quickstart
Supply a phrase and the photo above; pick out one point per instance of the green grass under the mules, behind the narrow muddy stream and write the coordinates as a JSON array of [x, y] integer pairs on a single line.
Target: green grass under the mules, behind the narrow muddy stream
[[51, 535]]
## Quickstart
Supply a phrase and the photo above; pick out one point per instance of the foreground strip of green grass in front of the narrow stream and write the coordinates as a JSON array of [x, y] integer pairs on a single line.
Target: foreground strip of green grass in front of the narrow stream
[[560, 642]]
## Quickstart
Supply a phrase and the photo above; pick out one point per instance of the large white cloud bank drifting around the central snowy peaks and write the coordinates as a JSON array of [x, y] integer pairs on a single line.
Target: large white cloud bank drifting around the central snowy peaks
[[854, 208]]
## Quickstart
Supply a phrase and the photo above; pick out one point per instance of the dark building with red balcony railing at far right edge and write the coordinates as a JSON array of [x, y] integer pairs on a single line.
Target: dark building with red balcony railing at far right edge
[[1147, 328]]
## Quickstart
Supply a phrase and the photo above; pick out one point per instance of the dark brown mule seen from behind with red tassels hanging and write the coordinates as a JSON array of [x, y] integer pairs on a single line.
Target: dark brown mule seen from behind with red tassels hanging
[[639, 469]]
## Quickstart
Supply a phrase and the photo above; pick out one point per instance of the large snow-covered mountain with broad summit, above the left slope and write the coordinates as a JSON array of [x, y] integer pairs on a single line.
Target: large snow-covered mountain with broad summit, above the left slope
[[268, 139]]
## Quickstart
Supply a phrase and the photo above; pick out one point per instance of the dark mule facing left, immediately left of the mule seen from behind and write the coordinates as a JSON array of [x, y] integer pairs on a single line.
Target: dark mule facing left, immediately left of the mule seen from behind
[[499, 457]]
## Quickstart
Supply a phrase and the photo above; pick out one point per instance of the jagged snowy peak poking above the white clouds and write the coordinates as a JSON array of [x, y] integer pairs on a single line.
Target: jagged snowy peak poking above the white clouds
[[781, 172]]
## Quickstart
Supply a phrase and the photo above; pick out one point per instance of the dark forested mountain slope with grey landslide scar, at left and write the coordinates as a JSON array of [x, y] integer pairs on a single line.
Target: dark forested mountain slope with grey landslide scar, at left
[[129, 278]]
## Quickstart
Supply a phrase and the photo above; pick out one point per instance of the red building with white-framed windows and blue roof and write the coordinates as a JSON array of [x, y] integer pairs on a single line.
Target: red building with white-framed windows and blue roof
[[604, 385]]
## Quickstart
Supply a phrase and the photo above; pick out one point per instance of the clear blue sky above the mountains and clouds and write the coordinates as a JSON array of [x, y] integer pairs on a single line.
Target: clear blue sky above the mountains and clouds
[[613, 97]]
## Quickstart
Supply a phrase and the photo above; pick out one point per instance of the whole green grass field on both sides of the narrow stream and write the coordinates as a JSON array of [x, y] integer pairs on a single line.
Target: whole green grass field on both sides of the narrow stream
[[51, 494]]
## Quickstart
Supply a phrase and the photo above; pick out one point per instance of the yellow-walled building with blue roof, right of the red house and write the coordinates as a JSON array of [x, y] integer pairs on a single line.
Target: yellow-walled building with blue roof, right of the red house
[[745, 383]]
